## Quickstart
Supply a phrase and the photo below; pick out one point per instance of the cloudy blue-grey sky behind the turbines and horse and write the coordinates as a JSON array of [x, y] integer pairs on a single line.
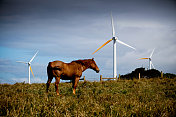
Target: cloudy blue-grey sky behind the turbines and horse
[[68, 30]]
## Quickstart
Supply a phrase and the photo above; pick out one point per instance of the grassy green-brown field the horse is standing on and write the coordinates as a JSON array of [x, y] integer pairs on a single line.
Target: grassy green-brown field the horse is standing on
[[145, 97]]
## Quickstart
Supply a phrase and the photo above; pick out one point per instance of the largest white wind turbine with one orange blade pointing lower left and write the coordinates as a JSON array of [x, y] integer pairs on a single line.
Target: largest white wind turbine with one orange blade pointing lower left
[[114, 39]]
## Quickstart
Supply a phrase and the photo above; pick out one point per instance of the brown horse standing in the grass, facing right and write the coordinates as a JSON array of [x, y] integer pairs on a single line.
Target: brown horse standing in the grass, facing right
[[69, 71]]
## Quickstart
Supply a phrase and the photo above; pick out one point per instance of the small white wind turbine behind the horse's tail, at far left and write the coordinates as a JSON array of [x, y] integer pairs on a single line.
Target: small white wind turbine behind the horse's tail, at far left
[[29, 66]]
